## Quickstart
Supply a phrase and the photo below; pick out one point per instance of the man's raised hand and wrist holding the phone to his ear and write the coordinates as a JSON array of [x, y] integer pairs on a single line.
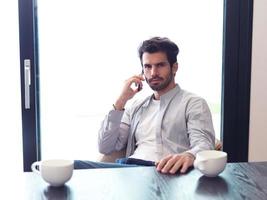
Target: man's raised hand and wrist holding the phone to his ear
[[128, 91]]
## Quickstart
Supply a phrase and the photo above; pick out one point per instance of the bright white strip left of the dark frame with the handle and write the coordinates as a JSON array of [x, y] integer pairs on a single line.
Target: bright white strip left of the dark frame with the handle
[[10, 105]]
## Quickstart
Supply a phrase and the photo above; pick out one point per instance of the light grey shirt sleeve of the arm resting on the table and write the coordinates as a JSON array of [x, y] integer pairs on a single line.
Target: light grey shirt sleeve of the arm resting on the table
[[199, 126]]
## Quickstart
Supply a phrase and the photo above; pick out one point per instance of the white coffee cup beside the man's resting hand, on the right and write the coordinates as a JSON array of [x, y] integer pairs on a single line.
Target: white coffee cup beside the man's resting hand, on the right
[[210, 162]]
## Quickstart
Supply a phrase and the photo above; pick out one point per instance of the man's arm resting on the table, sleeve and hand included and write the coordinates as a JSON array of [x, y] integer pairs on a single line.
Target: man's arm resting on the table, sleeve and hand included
[[200, 134]]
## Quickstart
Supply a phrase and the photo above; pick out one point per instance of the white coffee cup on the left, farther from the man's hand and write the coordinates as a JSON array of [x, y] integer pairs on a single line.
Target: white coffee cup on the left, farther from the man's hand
[[56, 172]]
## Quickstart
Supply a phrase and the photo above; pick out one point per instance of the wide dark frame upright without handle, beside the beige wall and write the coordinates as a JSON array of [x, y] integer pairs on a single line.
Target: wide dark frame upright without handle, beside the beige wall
[[237, 46]]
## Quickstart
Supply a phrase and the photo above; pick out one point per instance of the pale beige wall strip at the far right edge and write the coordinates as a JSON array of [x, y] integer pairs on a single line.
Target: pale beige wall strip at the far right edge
[[258, 105]]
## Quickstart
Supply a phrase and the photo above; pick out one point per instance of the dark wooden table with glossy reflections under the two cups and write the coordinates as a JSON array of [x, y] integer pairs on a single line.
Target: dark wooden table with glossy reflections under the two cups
[[237, 181]]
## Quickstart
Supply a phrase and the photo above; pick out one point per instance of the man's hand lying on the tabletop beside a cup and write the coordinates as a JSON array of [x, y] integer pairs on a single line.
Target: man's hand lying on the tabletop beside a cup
[[172, 163]]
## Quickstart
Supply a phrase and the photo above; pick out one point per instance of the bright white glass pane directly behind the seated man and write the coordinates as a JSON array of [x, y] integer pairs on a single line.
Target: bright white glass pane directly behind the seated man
[[87, 49]]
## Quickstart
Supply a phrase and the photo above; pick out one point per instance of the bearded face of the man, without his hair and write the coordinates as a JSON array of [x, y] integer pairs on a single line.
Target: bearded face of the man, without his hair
[[157, 70]]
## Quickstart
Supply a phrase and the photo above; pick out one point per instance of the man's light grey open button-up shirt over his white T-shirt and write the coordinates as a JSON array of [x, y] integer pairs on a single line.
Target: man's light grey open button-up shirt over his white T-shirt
[[184, 124]]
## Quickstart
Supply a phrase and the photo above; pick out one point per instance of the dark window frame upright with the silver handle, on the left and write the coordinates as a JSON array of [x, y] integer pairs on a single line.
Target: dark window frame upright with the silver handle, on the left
[[28, 39]]
